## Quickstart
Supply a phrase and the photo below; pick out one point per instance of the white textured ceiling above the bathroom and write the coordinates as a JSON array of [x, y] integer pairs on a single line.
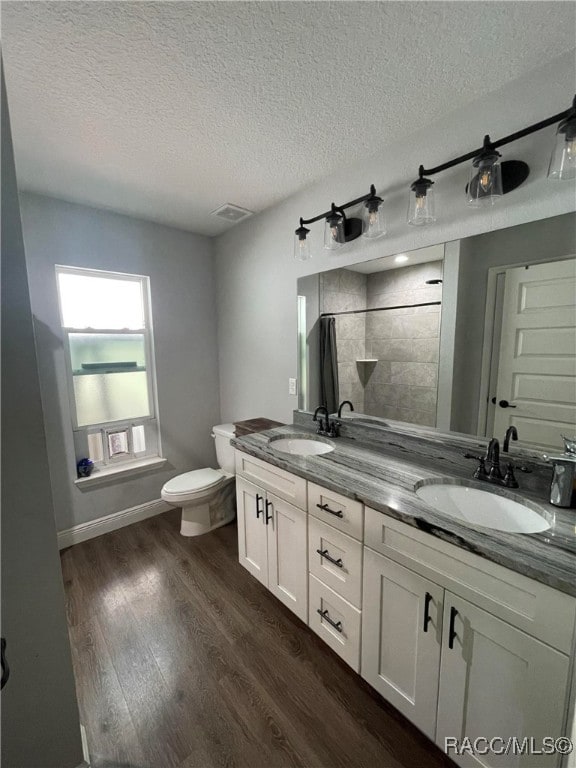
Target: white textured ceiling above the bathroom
[[167, 110]]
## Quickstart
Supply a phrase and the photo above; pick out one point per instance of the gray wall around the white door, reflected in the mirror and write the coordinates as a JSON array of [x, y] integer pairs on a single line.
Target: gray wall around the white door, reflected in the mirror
[[539, 241]]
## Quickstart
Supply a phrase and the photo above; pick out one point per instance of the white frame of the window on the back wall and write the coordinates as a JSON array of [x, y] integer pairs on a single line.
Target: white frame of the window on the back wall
[[150, 422]]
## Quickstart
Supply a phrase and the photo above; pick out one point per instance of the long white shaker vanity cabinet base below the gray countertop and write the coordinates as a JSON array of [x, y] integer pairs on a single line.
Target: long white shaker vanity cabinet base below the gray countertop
[[459, 644]]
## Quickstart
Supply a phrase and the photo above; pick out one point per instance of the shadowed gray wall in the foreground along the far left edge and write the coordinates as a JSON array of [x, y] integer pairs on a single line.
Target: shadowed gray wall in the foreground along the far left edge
[[40, 725]]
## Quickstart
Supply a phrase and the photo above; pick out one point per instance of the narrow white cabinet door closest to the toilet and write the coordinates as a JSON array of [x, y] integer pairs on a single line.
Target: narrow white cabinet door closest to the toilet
[[252, 544]]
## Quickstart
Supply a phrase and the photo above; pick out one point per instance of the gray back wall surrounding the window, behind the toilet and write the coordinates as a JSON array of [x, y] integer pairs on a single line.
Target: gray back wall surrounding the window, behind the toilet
[[180, 267]]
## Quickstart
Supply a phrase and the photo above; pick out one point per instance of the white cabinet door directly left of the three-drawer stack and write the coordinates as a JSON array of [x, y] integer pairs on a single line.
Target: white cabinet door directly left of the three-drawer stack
[[287, 554]]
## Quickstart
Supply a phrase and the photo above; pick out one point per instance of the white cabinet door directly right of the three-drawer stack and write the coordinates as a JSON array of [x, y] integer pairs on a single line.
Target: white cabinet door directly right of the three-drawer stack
[[401, 638]]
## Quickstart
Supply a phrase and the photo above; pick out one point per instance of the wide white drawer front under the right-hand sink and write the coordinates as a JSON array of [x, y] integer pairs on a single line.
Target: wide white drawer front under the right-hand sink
[[537, 609]]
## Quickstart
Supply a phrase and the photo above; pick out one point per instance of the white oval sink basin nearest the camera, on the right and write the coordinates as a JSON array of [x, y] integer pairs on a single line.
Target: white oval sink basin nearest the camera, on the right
[[482, 509]]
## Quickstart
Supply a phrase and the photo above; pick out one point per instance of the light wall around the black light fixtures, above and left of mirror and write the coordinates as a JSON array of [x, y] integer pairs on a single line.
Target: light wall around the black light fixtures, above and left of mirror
[[256, 273]]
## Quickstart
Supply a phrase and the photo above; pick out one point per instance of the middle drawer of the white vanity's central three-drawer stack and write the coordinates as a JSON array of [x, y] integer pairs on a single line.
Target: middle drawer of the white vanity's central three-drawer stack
[[343, 576]]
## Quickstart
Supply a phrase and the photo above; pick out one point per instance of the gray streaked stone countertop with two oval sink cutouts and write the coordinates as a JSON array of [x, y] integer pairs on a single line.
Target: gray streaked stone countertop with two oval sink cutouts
[[381, 468]]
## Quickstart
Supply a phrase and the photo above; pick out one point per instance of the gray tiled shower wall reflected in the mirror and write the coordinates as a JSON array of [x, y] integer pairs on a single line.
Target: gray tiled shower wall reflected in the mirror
[[402, 383]]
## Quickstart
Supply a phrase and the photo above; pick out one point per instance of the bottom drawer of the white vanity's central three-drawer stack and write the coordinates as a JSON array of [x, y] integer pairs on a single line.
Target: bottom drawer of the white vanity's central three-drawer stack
[[344, 638]]
